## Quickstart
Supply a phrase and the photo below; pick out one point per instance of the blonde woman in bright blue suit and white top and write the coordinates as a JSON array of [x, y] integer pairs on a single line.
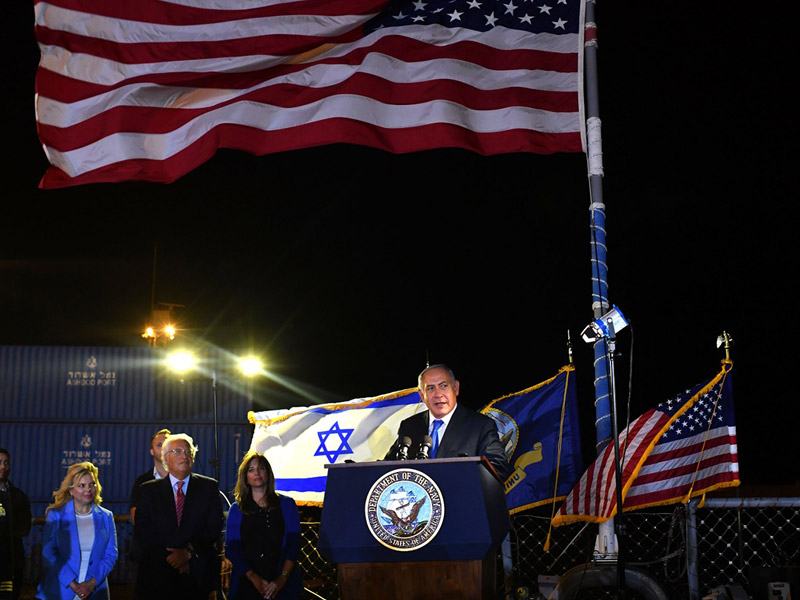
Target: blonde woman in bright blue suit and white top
[[79, 548]]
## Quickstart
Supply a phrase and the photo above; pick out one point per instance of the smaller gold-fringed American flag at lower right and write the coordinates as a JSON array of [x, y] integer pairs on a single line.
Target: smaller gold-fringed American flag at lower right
[[683, 448]]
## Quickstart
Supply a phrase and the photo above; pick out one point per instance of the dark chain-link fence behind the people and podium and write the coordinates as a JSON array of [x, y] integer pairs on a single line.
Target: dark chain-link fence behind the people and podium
[[688, 550]]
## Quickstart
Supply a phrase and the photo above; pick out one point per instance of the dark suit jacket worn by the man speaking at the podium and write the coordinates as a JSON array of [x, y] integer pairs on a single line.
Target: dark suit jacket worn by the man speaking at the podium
[[468, 433]]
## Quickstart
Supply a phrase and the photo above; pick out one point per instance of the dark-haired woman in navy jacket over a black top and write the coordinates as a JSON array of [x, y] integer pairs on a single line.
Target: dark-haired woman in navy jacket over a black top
[[262, 537]]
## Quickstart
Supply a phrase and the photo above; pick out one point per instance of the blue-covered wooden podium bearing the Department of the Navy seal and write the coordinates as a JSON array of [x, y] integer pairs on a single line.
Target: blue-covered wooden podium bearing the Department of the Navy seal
[[447, 550]]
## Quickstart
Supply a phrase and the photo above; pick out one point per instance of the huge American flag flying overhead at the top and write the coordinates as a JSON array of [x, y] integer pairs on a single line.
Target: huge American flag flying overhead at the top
[[150, 89]]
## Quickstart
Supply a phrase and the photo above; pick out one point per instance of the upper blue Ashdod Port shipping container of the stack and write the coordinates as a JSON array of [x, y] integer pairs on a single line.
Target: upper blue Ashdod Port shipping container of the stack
[[116, 385]]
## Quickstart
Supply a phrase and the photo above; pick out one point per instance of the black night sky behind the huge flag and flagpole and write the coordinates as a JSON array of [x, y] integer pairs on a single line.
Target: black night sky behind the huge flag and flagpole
[[348, 268]]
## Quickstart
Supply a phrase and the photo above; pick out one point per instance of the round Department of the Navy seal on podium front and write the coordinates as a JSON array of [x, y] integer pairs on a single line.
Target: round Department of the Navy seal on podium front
[[404, 509]]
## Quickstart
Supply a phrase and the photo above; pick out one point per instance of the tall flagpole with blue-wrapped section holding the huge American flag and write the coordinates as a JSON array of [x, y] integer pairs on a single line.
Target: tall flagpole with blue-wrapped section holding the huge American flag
[[606, 546]]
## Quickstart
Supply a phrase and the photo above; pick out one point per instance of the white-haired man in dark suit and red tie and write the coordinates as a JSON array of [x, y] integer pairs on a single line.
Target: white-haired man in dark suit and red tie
[[178, 525]]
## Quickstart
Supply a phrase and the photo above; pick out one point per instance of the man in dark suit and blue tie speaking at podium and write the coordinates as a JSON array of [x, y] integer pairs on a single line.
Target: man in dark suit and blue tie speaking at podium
[[455, 430]]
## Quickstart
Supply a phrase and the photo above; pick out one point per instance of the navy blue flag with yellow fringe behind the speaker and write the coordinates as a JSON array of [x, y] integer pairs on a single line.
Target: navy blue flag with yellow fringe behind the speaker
[[539, 428]]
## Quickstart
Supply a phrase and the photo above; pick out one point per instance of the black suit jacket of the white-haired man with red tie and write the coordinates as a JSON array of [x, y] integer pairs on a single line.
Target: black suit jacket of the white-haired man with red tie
[[156, 529]]
